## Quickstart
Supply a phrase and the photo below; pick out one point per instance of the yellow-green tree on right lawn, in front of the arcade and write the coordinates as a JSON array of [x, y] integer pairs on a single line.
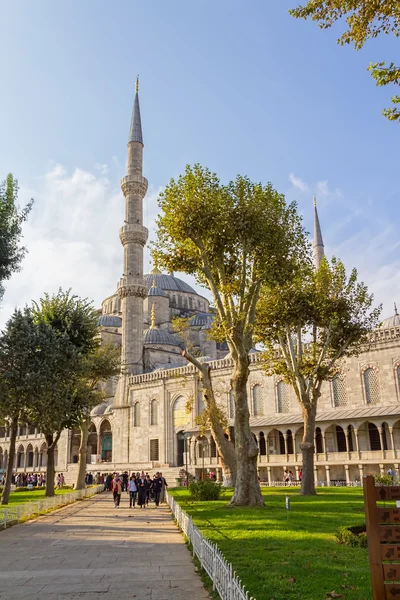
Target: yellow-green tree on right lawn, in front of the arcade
[[309, 327]]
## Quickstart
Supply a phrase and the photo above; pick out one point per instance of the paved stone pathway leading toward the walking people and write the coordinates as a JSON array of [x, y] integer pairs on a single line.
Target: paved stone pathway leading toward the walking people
[[90, 550]]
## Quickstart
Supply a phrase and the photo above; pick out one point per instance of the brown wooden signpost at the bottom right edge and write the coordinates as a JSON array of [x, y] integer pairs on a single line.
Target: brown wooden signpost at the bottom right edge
[[383, 533]]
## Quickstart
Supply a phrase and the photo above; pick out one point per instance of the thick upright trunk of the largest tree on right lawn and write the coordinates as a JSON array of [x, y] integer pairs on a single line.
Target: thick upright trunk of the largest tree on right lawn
[[247, 489]]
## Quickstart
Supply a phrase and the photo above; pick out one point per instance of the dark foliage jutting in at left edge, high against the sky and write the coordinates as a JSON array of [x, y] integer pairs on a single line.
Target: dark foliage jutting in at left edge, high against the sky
[[11, 220]]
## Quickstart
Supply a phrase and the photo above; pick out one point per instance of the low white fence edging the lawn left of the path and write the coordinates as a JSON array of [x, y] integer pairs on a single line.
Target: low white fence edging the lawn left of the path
[[9, 515]]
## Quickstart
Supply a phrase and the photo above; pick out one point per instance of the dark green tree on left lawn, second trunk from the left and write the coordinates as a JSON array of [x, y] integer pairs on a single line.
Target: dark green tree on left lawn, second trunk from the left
[[74, 320]]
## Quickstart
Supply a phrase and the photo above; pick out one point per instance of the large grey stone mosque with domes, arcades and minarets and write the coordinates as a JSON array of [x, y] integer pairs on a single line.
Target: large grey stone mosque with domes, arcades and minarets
[[145, 424]]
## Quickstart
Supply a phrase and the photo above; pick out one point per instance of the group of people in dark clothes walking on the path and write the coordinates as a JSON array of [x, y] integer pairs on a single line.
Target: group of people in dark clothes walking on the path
[[141, 488]]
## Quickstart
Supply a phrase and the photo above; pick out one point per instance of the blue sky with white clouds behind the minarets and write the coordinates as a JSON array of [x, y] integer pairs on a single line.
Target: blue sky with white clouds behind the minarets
[[241, 88]]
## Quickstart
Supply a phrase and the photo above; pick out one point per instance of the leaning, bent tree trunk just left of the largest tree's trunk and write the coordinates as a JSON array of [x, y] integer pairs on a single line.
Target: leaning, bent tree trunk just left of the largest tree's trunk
[[225, 448]]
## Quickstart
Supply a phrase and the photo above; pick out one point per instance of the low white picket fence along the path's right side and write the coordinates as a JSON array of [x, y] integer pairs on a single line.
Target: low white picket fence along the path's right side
[[225, 580]]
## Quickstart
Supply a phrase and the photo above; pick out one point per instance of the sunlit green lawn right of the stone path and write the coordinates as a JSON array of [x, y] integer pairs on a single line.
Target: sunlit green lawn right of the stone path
[[287, 556]]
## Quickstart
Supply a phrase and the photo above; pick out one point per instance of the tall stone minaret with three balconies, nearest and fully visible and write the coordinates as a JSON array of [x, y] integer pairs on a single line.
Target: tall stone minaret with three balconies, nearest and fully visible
[[133, 235]]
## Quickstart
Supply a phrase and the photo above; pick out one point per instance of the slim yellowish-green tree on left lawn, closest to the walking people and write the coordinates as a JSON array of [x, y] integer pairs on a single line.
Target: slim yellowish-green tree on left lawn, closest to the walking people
[[103, 363]]
